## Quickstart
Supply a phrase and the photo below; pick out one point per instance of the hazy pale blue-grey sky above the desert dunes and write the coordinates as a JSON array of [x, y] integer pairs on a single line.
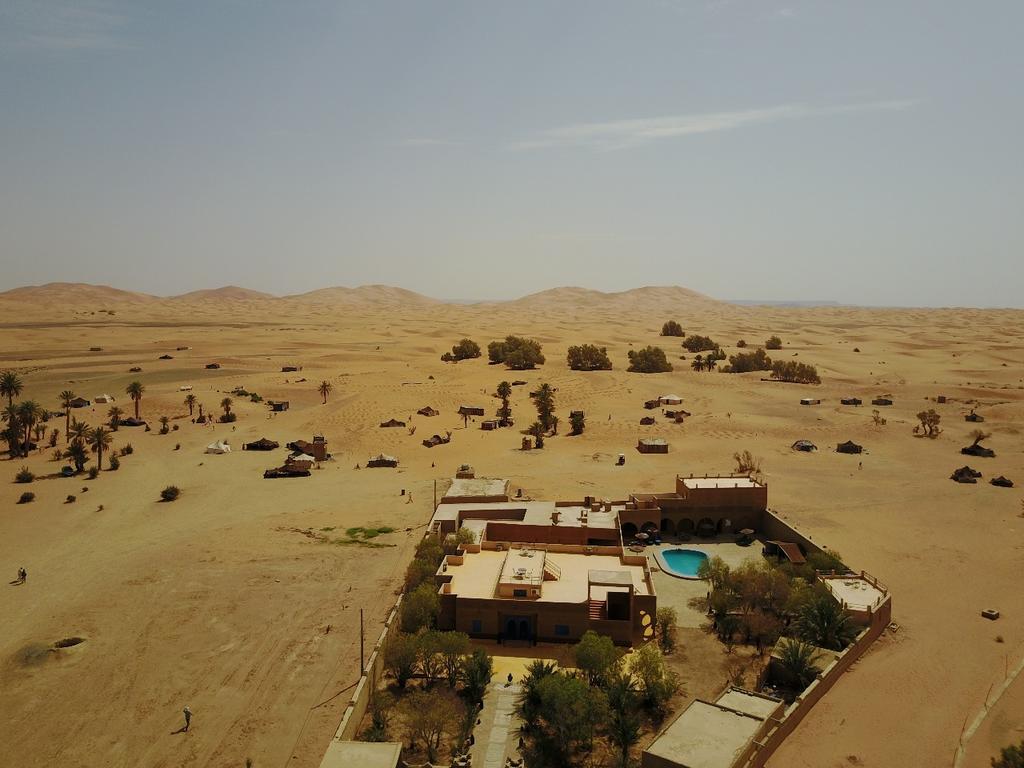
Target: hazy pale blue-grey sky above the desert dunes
[[865, 152]]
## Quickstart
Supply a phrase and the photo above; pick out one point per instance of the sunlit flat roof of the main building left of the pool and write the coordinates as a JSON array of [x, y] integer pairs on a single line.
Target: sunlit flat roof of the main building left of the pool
[[479, 576]]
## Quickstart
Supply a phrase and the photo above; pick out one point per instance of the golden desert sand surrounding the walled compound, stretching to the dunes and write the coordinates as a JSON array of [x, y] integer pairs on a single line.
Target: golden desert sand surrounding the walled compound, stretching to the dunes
[[222, 603]]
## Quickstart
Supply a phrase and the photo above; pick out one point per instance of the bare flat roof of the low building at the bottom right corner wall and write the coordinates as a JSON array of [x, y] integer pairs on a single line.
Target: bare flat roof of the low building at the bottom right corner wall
[[707, 736]]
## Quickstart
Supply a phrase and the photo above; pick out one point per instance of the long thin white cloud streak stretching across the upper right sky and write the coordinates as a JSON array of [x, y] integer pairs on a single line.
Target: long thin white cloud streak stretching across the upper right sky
[[620, 135]]
